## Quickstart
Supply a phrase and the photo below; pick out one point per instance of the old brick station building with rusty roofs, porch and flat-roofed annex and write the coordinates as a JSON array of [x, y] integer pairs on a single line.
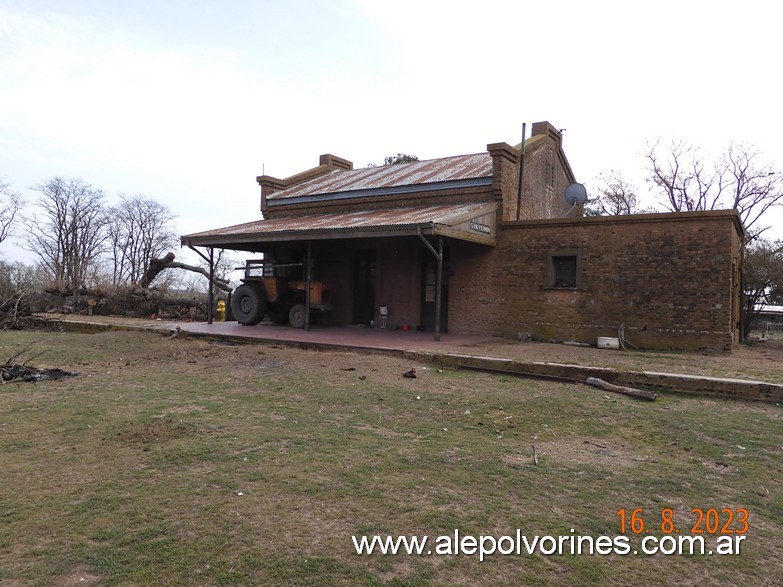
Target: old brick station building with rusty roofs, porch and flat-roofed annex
[[458, 233]]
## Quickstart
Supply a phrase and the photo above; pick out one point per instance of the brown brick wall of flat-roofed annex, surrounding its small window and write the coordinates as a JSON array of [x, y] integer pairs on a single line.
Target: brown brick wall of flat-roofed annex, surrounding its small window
[[667, 278]]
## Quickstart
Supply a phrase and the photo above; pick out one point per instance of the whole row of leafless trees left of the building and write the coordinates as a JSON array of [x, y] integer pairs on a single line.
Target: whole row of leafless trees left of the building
[[81, 241]]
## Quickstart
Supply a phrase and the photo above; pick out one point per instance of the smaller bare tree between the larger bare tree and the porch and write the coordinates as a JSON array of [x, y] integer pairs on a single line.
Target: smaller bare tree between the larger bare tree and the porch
[[138, 230]]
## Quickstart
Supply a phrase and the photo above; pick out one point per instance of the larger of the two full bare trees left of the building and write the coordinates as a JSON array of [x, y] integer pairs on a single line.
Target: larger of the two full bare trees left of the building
[[68, 235]]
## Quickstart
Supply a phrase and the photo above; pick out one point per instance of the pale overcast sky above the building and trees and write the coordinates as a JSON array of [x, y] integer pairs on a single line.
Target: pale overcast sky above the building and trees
[[188, 101]]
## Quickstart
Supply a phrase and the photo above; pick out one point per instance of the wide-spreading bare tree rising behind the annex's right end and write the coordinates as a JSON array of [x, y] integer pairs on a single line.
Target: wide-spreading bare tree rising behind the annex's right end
[[737, 179]]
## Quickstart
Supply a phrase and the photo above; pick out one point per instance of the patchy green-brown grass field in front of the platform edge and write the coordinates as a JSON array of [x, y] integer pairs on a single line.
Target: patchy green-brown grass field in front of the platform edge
[[181, 462]]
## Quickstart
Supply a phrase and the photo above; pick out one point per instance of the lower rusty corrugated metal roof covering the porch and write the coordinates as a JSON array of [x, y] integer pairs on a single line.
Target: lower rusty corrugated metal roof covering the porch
[[447, 214]]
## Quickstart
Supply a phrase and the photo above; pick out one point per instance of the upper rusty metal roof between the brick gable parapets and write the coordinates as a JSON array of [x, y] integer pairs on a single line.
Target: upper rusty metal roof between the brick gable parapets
[[404, 174]]
